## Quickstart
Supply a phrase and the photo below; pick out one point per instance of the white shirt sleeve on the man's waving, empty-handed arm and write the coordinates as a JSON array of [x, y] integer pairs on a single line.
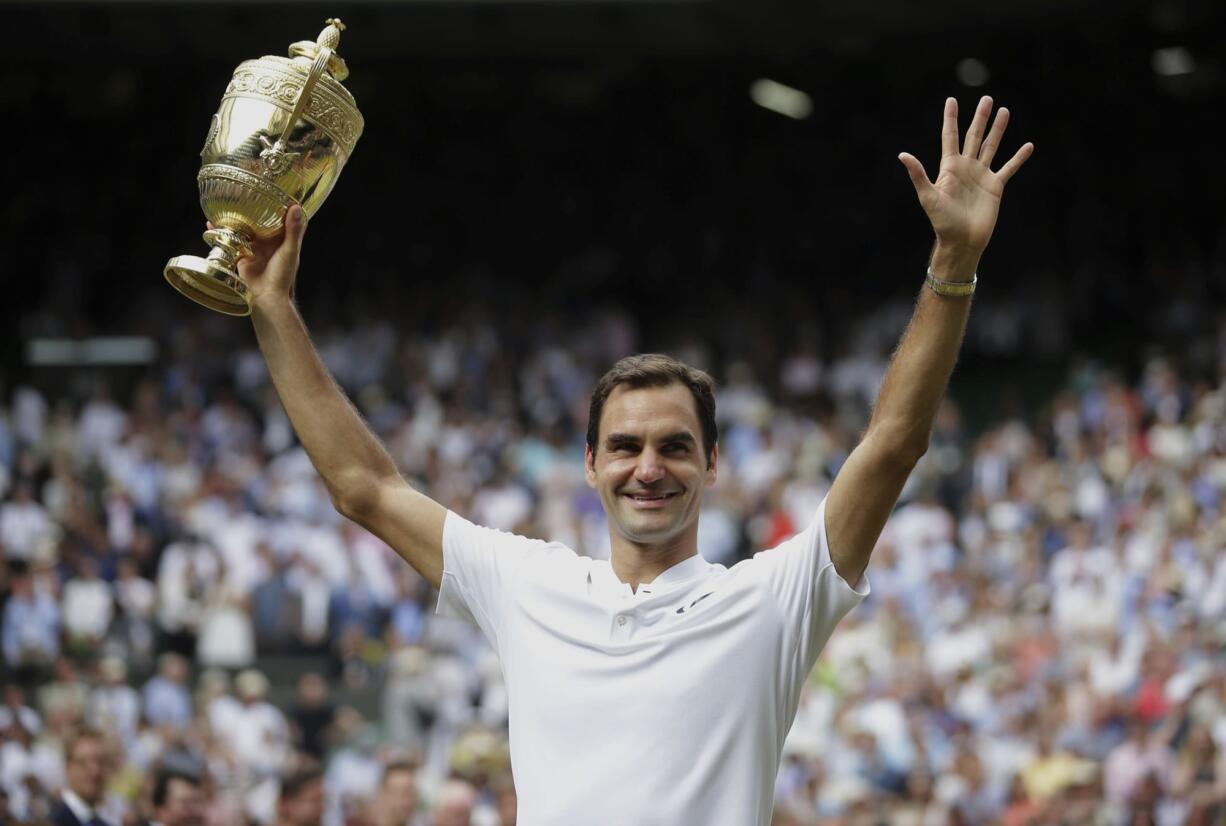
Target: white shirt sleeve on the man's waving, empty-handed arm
[[810, 594]]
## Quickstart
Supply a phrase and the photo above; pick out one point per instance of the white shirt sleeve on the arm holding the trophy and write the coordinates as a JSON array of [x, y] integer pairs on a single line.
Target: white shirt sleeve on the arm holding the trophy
[[480, 570]]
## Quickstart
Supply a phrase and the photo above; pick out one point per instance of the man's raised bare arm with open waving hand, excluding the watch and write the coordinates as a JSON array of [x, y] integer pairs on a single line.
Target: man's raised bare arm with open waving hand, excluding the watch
[[963, 206]]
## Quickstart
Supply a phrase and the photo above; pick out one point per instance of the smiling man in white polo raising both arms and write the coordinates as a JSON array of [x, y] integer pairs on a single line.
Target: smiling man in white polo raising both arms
[[655, 688]]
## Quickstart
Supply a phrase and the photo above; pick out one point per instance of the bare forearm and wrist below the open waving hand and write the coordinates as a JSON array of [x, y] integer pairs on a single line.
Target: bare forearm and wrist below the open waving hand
[[919, 373]]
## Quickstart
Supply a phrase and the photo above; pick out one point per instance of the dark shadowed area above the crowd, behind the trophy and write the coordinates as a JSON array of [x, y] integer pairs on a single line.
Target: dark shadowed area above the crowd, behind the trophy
[[539, 160]]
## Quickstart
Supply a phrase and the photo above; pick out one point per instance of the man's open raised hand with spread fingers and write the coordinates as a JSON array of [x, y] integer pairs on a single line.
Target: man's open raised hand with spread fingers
[[965, 199]]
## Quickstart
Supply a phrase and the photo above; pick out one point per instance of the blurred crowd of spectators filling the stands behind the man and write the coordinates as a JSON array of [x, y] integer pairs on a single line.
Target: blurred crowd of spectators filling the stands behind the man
[[1041, 644]]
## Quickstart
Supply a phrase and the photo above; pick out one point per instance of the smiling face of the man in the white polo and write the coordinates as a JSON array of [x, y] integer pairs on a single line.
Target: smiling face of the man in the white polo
[[649, 466]]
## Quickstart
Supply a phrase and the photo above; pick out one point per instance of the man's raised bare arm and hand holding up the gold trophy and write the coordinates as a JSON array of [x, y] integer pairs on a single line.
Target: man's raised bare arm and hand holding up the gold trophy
[[360, 475]]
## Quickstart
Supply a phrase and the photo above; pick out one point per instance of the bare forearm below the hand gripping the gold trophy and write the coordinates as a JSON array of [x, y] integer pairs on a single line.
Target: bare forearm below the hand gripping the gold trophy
[[349, 458]]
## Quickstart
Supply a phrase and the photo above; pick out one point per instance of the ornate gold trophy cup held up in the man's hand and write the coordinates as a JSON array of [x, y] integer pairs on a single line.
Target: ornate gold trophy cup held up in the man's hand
[[281, 137]]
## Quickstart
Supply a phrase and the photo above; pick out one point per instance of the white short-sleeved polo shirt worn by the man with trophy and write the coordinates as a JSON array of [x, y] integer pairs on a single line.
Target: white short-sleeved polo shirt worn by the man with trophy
[[664, 708]]
